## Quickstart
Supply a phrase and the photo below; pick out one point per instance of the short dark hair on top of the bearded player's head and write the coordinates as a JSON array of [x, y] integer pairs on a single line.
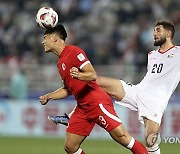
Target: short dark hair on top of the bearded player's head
[[167, 25]]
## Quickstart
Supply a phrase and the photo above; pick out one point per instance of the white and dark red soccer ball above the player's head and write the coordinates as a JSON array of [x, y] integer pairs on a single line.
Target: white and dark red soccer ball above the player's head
[[47, 17]]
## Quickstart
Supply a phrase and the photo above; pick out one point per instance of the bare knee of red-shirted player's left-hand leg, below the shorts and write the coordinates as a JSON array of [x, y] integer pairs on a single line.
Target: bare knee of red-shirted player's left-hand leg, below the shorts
[[73, 141]]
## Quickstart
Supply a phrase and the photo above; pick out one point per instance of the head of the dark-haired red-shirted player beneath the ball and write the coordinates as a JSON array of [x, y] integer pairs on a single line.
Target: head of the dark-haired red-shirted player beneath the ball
[[54, 37]]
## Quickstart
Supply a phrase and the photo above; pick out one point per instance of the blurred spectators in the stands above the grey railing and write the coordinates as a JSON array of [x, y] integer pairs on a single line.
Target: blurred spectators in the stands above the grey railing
[[110, 31]]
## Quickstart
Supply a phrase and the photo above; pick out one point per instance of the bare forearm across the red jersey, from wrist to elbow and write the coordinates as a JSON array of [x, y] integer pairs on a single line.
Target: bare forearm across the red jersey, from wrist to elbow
[[87, 76]]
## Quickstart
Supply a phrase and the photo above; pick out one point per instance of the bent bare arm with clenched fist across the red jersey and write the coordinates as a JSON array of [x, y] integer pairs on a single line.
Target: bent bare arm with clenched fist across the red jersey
[[87, 73]]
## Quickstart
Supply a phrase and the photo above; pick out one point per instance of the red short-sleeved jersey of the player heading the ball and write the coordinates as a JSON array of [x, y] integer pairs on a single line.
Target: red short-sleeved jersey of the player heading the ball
[[85, 92]]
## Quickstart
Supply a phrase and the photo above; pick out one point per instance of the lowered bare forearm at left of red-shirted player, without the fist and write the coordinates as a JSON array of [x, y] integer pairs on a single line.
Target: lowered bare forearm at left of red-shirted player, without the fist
[[58, 94]]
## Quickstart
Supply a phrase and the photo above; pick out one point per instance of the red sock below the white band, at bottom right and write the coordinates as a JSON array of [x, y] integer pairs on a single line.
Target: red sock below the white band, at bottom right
[[138, 148]]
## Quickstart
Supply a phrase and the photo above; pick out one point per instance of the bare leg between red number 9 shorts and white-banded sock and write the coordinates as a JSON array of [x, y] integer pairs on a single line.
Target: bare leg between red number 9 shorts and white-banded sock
[[120, 135]]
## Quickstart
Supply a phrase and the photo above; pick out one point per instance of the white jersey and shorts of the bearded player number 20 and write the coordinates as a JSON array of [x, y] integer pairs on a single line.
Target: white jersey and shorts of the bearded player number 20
[[150, 97]]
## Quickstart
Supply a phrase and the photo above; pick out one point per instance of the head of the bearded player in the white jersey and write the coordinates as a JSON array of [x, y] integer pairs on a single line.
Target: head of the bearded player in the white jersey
[[163, 31]]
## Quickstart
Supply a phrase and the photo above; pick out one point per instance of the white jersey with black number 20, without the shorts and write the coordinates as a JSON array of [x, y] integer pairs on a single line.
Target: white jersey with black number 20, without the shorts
[[163, 74]]
